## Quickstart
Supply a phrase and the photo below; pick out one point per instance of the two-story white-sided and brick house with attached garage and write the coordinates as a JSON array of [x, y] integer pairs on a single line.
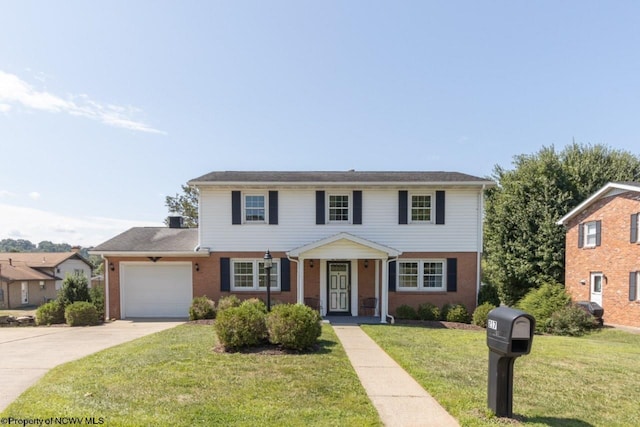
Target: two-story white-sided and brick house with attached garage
[[336, 238]]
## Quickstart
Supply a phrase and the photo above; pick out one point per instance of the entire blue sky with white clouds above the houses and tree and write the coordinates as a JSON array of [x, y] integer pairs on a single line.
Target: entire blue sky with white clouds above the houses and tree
[[107, 107]]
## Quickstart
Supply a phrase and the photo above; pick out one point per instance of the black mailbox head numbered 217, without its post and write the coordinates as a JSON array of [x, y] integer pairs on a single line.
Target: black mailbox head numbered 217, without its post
[[510, 331]]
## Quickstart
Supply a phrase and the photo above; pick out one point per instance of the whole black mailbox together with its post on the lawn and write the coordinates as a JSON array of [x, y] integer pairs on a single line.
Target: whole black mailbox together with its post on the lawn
[[509, 336]]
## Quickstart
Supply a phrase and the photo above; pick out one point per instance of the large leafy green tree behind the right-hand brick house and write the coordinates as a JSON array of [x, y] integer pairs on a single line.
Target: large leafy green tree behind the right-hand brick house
[[524, 247]]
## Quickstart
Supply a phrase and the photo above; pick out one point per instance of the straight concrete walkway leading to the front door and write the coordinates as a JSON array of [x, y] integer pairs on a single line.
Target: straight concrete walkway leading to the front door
[[399, 399]]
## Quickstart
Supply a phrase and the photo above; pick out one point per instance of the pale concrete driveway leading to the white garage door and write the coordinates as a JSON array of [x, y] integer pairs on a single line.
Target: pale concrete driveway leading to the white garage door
[[26, 353]]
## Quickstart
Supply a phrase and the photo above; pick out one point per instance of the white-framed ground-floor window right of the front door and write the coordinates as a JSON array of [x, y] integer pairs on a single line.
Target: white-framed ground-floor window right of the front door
[[423, 275]]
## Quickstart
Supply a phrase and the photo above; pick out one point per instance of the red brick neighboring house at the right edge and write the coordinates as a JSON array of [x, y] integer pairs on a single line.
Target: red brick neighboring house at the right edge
[[603, 252]]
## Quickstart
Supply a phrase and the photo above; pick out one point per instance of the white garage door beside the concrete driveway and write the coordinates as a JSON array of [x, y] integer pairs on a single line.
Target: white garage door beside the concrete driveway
[[155, 290]]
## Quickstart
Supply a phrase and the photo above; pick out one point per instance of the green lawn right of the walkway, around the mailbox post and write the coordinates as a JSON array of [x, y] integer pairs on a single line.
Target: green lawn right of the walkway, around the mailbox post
[[587, 381]]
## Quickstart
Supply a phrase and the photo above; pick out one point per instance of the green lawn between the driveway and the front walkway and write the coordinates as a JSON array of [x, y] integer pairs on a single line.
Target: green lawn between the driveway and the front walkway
[[175, 378]]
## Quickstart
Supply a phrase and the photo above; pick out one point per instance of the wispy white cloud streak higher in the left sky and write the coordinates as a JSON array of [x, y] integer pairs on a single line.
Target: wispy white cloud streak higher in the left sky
[[16, 92]]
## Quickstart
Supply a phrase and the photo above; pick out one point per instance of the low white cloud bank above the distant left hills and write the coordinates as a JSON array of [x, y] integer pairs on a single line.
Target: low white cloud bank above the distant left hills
[[37, 225]]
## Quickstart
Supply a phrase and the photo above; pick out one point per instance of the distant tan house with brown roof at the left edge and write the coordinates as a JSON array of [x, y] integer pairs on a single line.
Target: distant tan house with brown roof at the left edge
[[32, 278]]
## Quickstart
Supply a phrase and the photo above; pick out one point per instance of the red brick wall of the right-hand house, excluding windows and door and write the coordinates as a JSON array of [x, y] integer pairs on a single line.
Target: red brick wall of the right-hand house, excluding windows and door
[[616, 257]]
